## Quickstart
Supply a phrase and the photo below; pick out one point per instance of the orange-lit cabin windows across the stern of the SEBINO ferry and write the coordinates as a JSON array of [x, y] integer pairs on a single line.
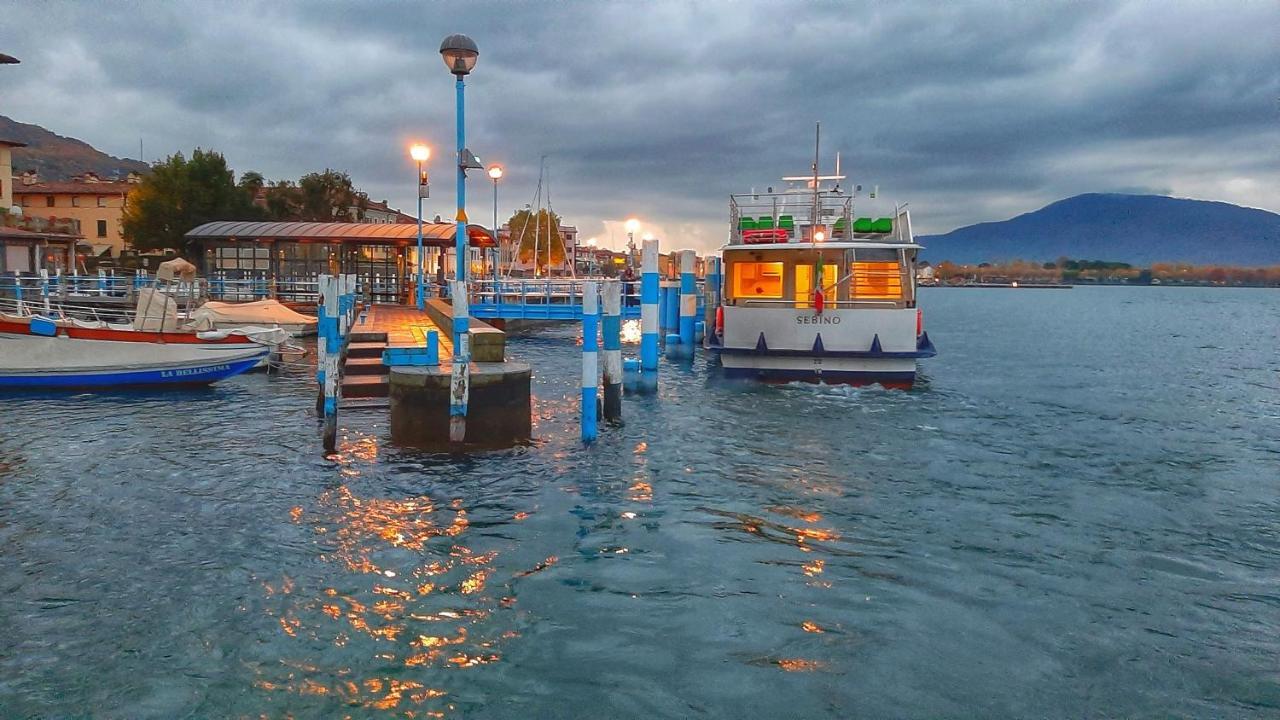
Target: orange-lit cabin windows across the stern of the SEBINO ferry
[[851, 277]]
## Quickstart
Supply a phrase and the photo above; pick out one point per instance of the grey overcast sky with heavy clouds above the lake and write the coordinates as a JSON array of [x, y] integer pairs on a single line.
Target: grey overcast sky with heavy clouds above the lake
[[970, 111]]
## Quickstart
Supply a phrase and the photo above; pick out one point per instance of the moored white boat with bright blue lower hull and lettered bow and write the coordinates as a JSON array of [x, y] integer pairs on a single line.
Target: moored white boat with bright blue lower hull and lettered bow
[[42, 362]]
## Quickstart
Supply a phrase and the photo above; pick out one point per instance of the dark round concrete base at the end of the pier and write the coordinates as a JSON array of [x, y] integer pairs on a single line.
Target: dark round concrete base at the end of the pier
[[499, 409]]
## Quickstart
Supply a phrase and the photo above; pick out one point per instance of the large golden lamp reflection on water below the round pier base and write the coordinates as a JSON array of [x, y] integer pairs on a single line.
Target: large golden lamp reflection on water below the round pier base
[[405, 590]]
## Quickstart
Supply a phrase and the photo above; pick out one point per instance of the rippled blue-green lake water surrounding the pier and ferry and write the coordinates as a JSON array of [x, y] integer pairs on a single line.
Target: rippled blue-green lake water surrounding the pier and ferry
[[1076, 514]]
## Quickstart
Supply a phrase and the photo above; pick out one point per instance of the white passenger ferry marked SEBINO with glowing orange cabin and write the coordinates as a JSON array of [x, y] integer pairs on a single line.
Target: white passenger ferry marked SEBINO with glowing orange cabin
[[820, 286]]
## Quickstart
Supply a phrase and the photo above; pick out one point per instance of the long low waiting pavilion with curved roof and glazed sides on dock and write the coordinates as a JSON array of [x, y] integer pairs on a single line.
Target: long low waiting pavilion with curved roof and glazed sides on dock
[[290, 257]]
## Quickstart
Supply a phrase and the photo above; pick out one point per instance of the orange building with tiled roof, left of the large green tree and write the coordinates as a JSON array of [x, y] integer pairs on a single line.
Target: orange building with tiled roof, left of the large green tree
[[95, 203]]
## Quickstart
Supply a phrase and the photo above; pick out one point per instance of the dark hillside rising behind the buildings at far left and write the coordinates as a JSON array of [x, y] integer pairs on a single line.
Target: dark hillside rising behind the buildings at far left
[[58, 158]]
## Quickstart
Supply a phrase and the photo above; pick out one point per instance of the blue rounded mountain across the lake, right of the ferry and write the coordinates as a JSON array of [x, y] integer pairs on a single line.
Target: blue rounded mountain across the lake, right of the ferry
[[1124, 229]]
